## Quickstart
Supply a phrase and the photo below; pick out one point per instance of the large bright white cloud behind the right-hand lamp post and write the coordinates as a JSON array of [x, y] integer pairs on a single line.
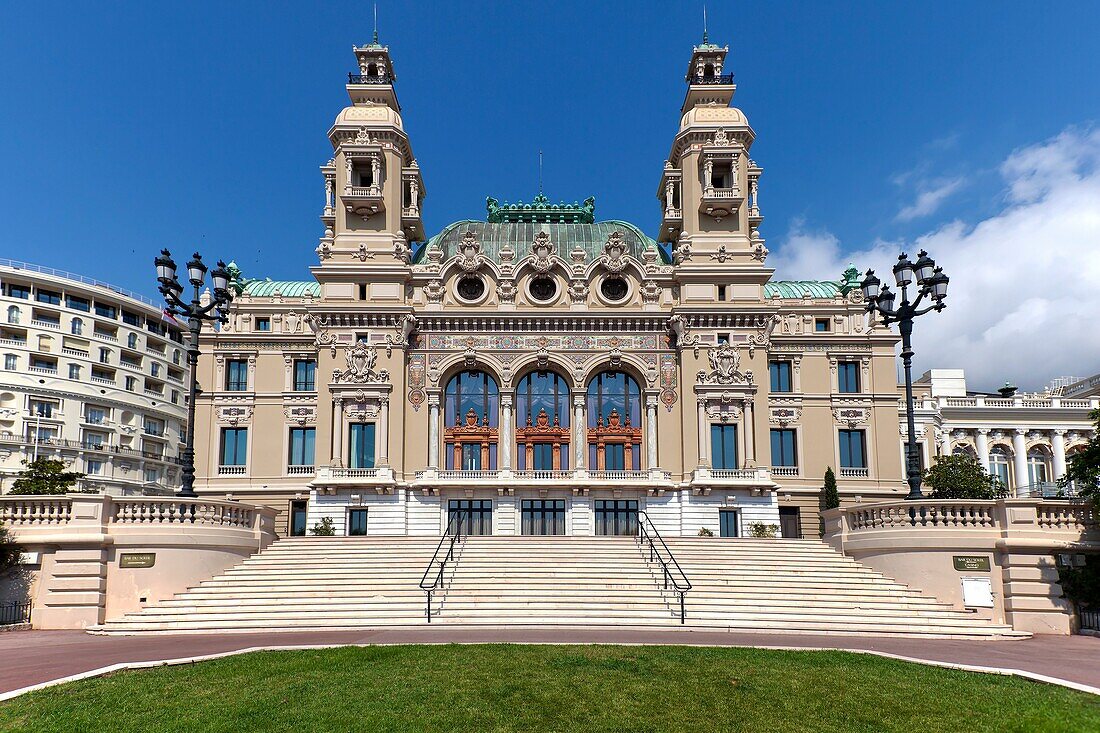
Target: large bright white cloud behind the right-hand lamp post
[[1025, 296]]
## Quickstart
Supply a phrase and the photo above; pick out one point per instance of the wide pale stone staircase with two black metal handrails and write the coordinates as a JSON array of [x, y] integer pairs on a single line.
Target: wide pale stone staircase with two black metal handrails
[[779, 586]]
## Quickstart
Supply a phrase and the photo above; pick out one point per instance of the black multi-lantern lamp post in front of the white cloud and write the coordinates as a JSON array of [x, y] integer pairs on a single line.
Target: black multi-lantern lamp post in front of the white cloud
[[930, 283]]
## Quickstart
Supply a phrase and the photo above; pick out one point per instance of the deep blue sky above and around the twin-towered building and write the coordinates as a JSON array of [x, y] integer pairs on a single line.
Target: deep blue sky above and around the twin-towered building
[[130, 127]]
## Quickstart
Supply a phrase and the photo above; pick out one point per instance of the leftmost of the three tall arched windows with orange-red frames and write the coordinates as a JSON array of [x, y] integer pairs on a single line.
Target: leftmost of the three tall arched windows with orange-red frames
[[470, 412]]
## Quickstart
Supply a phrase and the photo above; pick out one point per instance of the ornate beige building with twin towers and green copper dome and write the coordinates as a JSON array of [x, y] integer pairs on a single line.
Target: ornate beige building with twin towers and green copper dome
[[545, 370]]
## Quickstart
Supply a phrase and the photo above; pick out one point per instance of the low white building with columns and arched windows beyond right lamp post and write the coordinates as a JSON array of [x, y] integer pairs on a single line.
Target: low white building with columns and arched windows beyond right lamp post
[[1024, 439]]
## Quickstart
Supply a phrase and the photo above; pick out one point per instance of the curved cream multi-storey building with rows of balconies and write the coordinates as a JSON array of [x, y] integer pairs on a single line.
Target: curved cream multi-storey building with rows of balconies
[[93, 376]]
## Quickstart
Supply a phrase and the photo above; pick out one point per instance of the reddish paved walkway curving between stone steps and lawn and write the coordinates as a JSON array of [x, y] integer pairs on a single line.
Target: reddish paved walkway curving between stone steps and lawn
[[36, 658]]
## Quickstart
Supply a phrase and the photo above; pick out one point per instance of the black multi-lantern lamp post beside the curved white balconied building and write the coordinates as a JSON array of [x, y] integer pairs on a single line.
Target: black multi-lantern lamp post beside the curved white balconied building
[[196, 314]]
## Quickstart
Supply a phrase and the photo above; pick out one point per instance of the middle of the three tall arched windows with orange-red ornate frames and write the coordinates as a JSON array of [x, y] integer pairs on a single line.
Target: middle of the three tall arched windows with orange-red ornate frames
[[543, 423]]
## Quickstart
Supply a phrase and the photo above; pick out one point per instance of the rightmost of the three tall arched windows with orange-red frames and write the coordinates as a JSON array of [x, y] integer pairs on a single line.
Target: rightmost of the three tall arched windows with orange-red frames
[[614, 423]]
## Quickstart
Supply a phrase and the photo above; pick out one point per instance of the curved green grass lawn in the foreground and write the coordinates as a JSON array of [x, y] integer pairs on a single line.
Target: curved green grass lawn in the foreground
[[552, 688]]
